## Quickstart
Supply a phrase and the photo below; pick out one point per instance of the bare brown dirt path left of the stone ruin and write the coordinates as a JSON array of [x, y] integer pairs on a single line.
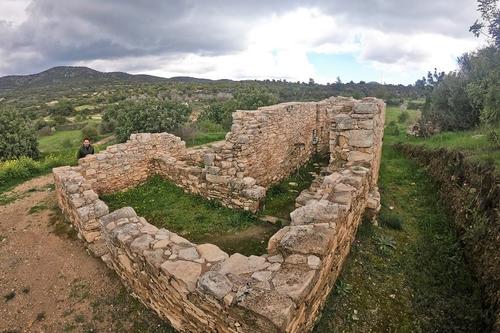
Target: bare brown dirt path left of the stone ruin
[[48, 281]]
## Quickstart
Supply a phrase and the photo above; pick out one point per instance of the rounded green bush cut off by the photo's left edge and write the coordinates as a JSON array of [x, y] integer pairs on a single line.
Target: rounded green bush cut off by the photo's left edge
[[17, 136]]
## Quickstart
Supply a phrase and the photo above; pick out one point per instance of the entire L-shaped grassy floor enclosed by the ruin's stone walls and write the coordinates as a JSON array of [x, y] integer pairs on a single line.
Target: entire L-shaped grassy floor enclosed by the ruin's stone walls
[[200, 220]]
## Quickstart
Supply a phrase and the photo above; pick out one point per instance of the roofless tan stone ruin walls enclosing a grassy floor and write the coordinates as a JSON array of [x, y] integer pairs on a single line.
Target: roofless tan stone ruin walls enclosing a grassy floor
[[199, 287]]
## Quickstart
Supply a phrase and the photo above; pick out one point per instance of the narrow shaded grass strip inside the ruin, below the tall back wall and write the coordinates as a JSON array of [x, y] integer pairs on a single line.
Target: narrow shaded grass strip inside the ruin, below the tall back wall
[[280, 198]]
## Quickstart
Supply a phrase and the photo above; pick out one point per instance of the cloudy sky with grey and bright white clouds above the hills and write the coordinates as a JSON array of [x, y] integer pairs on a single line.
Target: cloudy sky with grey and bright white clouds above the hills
[[393, 41]]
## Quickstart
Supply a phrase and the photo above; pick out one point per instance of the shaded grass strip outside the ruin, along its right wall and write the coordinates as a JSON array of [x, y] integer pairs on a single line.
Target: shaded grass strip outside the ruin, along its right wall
[[409, 273]]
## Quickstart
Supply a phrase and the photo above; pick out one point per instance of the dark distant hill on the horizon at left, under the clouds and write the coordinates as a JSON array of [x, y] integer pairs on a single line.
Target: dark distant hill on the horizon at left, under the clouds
[[71, 76]]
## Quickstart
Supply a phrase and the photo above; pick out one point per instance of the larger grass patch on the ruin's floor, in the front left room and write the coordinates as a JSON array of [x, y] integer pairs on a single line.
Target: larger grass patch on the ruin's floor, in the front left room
[[195, 218]]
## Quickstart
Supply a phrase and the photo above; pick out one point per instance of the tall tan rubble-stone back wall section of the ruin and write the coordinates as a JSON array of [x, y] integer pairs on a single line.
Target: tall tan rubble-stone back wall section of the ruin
[[271, 142]]
